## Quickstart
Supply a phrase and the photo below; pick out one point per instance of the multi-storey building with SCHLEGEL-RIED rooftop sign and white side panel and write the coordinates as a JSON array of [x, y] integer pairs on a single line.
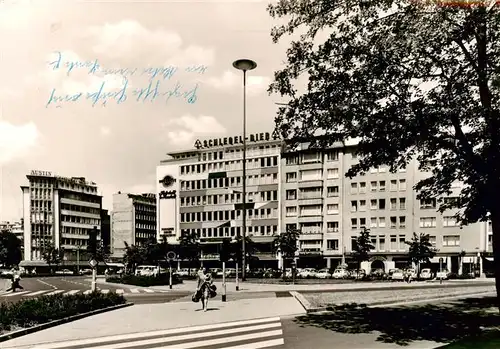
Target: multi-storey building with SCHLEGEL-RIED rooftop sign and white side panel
[[200, 191]]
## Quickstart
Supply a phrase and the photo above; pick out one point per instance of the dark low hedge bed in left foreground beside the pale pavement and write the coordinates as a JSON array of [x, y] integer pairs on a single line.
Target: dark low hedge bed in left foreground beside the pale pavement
[[32, 312]]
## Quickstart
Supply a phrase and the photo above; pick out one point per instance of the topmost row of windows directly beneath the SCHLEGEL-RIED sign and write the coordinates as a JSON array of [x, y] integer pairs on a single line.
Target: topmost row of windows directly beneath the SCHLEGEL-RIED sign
[[262, 162]]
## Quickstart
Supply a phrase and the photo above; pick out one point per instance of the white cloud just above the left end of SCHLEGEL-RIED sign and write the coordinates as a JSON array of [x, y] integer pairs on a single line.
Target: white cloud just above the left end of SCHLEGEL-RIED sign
[[183, 130]]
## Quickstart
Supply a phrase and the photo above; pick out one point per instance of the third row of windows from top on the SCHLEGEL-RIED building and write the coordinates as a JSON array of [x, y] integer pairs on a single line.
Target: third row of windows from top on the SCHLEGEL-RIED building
[[225, 199]]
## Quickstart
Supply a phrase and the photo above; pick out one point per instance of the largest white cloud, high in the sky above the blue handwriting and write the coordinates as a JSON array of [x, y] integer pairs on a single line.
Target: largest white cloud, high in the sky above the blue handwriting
[[128, 38]]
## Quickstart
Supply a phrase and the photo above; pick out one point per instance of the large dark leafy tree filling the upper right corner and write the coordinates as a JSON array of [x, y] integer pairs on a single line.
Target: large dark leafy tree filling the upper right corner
[[409, 80]]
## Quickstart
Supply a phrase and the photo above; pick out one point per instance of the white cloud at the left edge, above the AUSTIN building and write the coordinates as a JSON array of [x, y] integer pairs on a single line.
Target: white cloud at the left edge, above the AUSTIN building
[[16, 141]]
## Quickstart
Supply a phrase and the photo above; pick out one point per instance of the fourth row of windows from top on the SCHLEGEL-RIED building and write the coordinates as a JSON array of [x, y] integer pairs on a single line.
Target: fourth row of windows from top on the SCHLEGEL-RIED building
[[213, 216]]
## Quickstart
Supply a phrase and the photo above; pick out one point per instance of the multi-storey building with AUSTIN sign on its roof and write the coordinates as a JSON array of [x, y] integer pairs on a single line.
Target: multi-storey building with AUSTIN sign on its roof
[[58, 211]]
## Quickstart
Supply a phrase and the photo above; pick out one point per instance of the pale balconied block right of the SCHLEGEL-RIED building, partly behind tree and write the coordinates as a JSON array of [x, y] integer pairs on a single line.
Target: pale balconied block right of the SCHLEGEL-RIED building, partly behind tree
[[331, 209]]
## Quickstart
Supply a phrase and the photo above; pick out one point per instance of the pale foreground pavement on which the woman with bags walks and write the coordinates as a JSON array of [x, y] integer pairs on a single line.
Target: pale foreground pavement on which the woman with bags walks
[[151, 317]]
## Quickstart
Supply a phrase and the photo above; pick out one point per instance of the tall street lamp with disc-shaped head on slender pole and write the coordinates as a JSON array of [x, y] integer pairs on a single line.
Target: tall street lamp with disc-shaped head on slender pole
[[244, 65]]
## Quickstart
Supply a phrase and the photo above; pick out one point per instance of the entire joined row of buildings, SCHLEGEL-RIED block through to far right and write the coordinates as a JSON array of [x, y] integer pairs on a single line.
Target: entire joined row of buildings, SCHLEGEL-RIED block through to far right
[[199, 191]]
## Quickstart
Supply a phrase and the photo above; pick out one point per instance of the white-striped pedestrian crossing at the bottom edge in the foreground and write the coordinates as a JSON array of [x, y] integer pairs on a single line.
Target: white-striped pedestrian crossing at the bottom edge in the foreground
[[247, 334]]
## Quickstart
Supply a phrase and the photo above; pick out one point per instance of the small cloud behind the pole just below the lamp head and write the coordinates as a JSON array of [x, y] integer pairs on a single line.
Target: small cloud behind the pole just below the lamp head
[[229, 81]]
